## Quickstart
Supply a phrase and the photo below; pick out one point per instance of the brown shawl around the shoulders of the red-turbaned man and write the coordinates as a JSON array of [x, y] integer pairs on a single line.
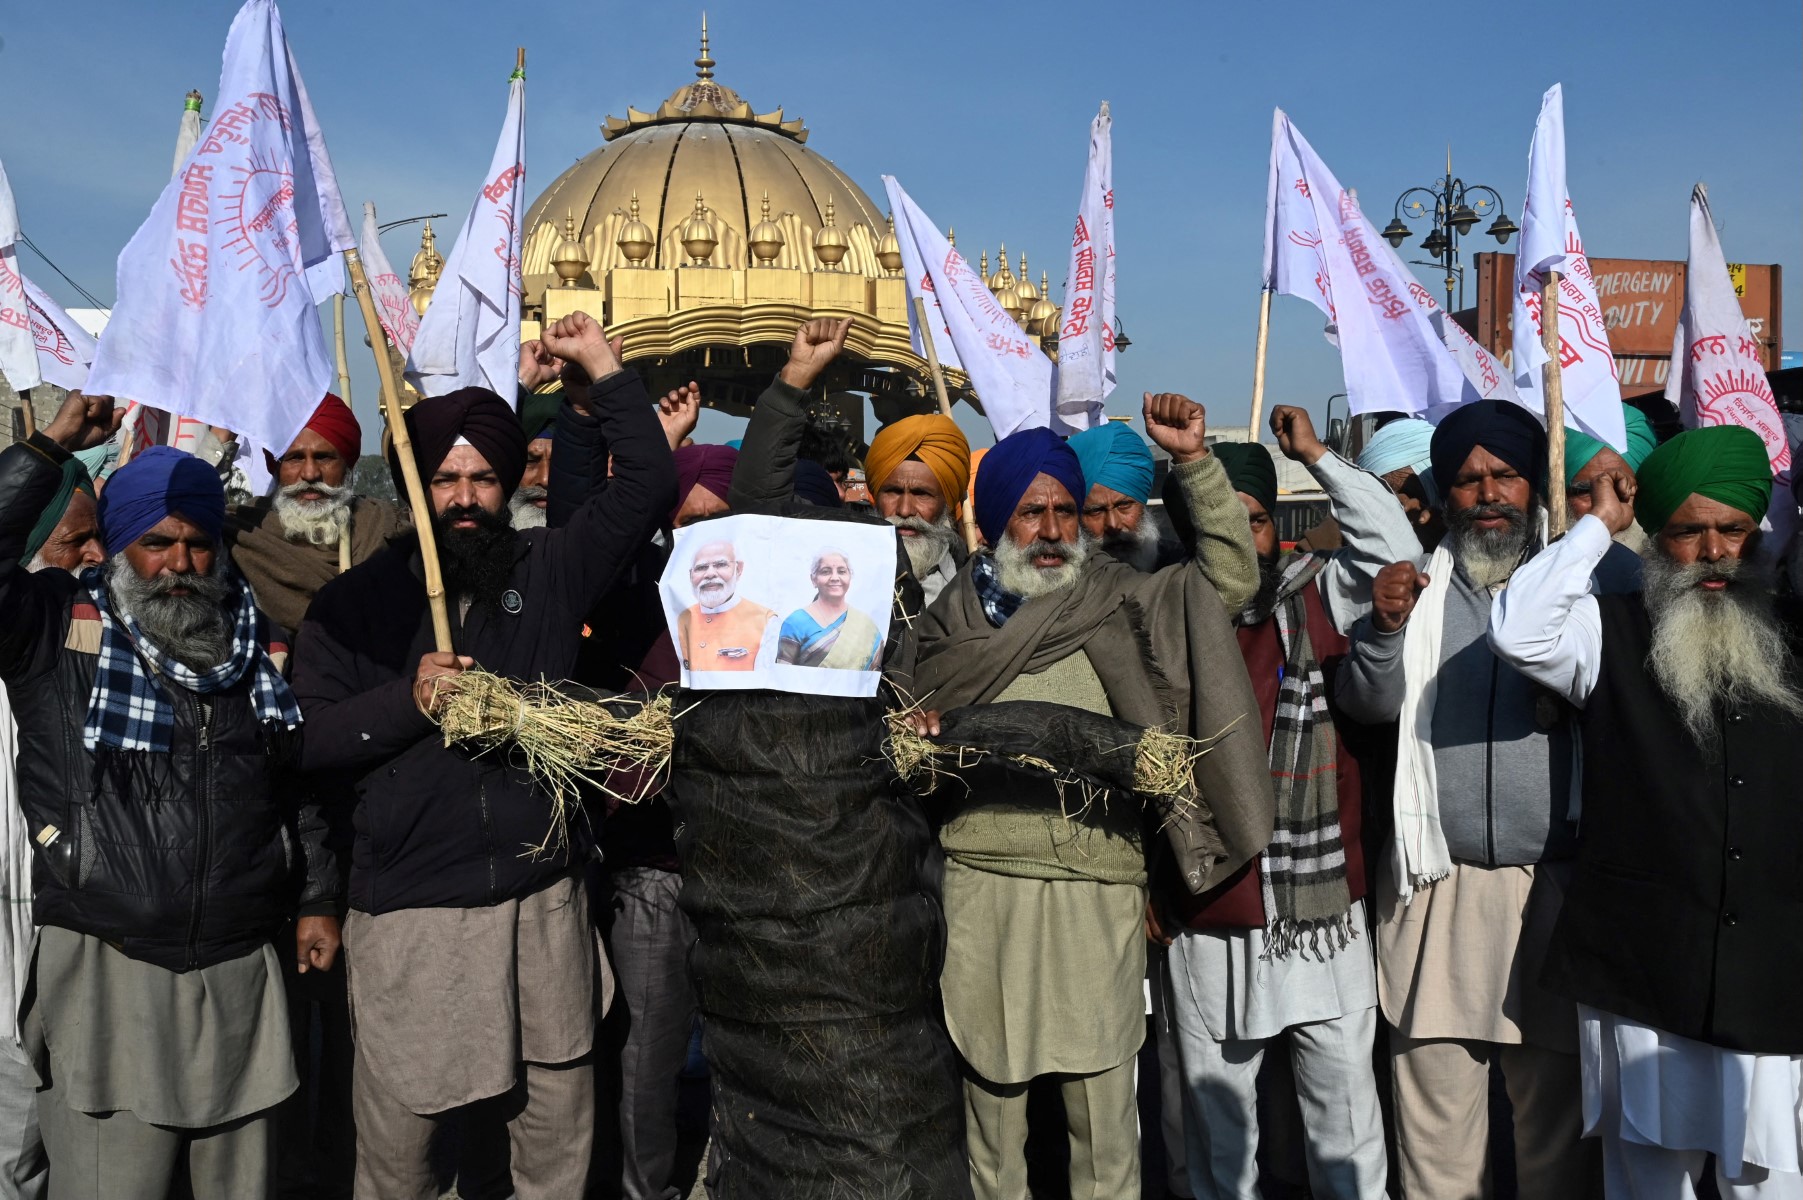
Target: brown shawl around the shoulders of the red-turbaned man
[[288, 576]]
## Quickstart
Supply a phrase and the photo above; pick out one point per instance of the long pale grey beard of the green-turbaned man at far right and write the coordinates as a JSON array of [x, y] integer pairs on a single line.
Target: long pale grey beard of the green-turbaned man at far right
[[1717, 648]]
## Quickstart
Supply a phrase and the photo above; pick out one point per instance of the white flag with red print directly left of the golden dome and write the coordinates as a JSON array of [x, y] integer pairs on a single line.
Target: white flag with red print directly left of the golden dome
[[470, 338]]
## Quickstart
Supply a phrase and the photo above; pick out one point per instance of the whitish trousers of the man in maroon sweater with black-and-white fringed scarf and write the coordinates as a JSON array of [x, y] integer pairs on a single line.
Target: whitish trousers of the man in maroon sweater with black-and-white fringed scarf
[[1337, 1091]]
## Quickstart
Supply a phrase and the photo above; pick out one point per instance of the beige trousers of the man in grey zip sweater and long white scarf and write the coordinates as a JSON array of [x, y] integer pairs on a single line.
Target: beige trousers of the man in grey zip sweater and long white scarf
[[1443, 1122]]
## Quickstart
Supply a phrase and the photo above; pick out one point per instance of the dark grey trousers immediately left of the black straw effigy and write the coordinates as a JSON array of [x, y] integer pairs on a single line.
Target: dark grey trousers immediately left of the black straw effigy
[[654, 1008]]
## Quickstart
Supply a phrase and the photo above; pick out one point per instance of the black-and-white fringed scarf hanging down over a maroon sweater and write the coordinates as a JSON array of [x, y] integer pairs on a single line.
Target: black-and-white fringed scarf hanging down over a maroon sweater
[[1304, 869]]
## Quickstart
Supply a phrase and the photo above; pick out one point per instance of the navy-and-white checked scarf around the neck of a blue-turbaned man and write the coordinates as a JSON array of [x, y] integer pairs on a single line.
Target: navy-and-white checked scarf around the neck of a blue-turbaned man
[[131, 713]]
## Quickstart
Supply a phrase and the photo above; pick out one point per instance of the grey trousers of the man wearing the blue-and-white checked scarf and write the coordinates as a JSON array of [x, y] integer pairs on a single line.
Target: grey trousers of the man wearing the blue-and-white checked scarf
[[120, 1158]]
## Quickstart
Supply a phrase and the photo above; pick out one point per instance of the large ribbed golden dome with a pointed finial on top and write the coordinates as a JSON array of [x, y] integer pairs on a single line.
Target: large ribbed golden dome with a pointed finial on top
[[706, 140]]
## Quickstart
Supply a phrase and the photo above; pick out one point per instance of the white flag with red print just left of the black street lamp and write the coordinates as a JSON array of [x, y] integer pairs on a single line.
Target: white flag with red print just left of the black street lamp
[[1321, 248]]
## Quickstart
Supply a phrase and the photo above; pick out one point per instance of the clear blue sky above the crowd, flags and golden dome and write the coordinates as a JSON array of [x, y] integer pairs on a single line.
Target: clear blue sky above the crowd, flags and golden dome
[[982, 111]]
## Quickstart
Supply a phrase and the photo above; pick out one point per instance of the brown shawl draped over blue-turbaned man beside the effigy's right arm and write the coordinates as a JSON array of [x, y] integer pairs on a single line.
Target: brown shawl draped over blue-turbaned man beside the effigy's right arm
[[1167, 659]]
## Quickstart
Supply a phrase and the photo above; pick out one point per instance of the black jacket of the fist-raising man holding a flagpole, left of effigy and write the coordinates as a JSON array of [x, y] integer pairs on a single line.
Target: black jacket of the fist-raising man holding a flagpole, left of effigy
[[437, 826]]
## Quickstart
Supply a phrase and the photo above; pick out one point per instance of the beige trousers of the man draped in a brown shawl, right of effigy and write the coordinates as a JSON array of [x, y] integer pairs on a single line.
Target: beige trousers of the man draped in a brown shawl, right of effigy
[[1104, 1123]]
